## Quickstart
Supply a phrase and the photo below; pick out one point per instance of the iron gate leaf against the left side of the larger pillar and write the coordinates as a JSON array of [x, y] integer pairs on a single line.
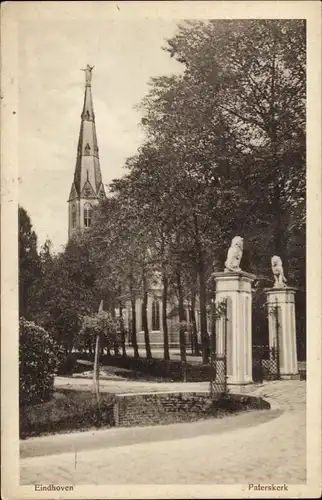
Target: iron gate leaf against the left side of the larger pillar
[[218, 361]]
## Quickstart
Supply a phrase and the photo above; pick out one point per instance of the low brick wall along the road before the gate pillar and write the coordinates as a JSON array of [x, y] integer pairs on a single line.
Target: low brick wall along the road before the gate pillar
[[166, 408]]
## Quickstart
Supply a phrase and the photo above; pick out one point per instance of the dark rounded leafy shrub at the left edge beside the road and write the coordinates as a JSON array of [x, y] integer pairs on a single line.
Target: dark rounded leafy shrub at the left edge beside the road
[[39, 359]]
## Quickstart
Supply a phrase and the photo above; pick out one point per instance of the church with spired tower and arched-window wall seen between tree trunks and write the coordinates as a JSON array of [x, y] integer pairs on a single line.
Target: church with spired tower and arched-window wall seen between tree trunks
[[86, 191]]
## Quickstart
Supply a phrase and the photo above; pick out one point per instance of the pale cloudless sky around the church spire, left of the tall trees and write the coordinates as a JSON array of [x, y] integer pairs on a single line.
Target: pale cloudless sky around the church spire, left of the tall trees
[[126, 54]]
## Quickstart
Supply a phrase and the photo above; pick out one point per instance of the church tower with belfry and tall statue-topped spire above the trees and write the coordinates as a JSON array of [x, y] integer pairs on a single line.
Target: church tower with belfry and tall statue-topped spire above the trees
[[87, 188]]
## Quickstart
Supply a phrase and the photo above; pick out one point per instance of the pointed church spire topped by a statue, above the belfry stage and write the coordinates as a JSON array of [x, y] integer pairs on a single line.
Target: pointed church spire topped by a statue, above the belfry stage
[[87, 169]]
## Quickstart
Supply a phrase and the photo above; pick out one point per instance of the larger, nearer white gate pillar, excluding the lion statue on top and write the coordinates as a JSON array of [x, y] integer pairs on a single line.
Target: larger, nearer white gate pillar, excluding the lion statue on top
[[236, 289]]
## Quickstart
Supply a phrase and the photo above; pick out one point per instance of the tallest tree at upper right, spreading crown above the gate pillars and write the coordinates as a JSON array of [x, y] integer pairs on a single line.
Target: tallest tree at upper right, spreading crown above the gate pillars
[[253, 73]]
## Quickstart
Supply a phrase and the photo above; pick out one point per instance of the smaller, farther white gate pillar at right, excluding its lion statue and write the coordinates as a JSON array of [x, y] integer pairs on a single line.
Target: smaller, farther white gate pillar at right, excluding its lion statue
[[282, 300]]
